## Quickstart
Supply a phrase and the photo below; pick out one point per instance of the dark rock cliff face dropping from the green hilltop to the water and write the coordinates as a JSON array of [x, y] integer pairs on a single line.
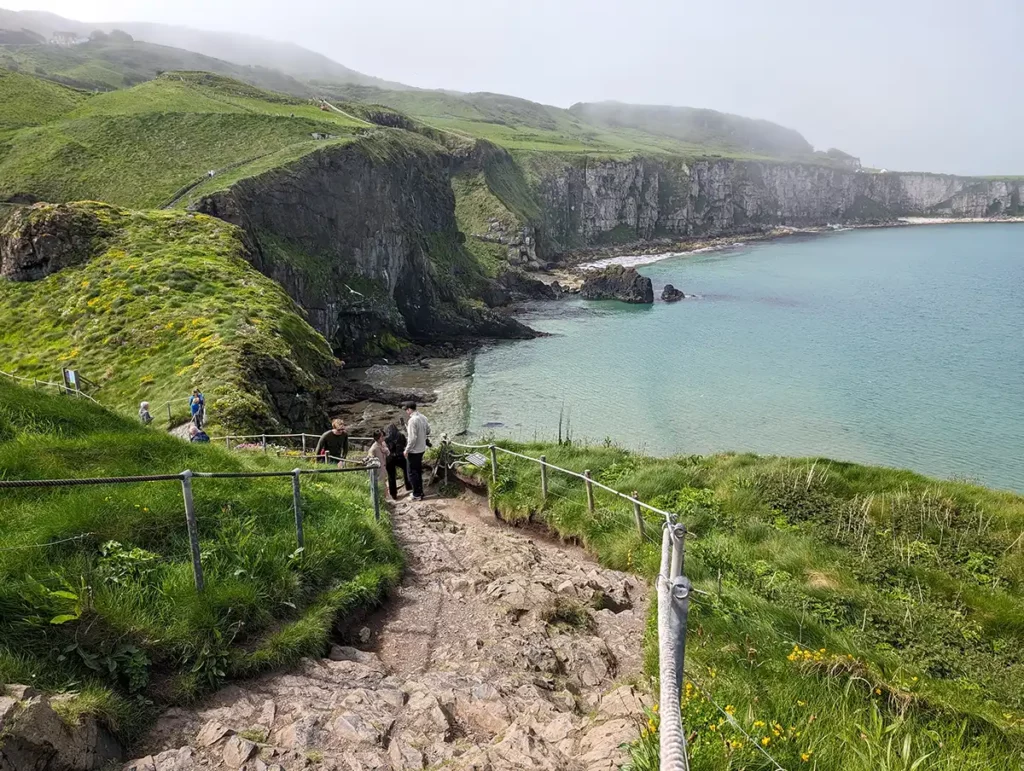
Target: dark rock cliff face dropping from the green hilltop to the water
[[364, 237]]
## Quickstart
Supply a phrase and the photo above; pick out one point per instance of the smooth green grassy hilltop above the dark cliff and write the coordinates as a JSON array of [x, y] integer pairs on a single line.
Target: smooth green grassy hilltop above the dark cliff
[[139, 148]]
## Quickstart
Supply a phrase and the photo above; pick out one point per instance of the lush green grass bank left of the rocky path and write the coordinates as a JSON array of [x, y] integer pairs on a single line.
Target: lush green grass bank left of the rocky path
[[124, 624]]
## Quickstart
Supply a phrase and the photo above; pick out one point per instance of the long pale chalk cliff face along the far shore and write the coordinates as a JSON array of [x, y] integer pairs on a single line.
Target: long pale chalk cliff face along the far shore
[[591, 202]]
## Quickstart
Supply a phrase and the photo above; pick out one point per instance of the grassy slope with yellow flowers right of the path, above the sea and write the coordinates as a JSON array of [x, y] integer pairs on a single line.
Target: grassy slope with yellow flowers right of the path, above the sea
[[905, 592]]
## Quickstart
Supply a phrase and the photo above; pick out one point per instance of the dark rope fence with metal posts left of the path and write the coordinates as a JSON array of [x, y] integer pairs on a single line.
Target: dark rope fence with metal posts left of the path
[[186, 481]]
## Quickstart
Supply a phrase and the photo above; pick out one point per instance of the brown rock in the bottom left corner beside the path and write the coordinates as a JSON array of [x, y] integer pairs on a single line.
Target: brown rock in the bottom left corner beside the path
[[34, 738]]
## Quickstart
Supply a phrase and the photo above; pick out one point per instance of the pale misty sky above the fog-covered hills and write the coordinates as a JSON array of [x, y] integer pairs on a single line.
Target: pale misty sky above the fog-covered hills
[[923, 85]]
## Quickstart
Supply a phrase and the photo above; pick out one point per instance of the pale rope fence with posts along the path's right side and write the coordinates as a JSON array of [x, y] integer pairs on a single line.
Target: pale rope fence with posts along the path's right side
[[674, 589]]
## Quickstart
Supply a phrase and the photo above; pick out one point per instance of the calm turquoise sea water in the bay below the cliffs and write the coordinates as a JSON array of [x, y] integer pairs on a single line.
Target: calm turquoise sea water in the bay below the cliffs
[[902, 348]]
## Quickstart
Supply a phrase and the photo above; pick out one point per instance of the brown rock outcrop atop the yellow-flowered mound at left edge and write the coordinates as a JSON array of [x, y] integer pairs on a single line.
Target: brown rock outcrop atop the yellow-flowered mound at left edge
[[40, 240]]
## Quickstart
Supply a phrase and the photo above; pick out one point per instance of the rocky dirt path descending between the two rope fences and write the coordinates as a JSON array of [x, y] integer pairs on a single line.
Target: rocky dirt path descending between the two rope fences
[[499, 652]]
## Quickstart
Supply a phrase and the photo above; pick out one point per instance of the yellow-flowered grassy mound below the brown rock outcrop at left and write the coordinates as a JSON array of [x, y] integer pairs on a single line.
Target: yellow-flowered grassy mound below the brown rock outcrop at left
[[166, 303]]
